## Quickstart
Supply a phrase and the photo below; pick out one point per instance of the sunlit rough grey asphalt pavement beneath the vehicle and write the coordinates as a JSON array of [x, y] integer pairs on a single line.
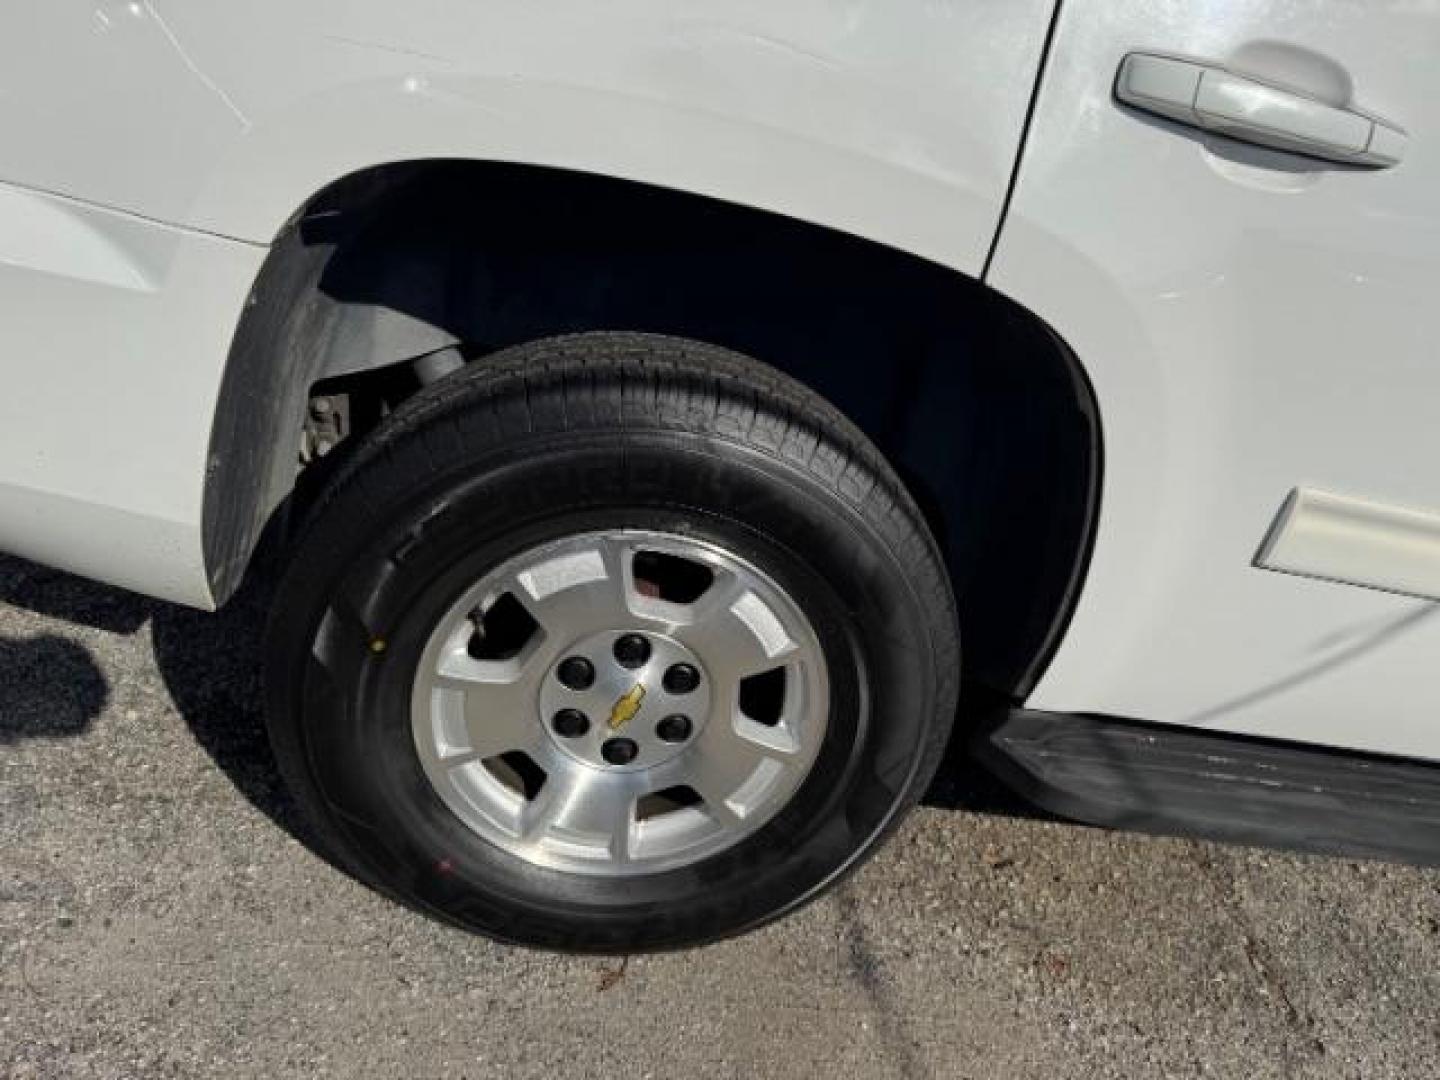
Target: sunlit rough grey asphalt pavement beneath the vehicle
[[161, 918]]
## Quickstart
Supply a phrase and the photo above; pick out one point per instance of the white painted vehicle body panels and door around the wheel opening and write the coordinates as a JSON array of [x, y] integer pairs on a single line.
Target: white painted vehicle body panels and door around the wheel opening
[[1252, 323]]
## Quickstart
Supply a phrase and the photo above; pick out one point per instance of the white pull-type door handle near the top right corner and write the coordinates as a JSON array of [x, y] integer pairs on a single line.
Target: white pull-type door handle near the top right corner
[[1212, 99]]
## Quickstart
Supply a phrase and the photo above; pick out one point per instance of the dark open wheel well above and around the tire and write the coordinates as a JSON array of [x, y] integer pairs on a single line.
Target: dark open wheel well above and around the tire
[[984, 413]]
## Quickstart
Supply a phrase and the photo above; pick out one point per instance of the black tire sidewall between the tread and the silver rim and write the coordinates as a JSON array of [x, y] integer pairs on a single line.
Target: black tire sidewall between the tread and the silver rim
[[349, 708]]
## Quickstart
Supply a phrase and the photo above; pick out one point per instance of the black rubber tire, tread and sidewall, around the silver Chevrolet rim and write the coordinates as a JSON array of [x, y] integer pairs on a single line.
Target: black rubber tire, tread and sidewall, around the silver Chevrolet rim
[[601, 431]]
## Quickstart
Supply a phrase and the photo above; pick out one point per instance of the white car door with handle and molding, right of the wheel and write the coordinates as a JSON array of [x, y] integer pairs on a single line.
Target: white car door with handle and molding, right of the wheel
[[1255, 322]]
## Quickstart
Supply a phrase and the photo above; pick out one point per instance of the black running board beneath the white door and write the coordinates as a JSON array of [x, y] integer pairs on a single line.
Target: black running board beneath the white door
[[1189, 783]]
